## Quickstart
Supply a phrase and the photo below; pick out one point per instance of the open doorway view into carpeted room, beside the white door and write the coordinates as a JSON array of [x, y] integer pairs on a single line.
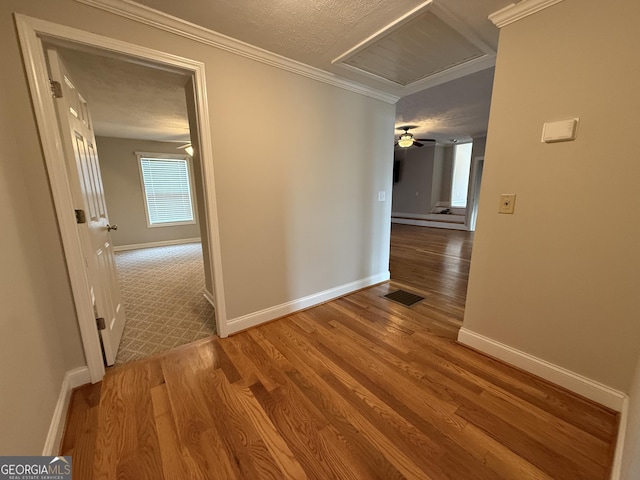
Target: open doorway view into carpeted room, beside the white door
[[150, 193]]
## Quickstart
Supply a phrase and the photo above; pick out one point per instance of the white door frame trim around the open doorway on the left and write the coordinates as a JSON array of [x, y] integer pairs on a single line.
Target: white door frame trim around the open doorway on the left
[[31, 31]]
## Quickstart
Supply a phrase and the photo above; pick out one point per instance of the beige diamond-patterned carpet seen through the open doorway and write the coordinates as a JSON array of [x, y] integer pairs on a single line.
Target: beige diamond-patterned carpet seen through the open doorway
[[162, 291]]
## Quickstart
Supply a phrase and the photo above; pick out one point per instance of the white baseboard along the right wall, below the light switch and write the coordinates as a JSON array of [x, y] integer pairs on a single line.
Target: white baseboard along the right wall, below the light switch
[[579, 384]]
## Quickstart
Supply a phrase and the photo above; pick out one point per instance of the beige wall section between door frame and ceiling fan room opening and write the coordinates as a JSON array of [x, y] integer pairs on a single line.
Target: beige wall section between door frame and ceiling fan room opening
[[298, 204]]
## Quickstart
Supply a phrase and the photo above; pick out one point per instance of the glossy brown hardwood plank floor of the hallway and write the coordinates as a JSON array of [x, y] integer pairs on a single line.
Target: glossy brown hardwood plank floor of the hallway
[[358, 388]]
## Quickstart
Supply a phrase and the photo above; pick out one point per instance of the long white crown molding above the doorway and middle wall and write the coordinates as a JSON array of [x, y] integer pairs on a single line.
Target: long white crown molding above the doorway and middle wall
[[177, 26]]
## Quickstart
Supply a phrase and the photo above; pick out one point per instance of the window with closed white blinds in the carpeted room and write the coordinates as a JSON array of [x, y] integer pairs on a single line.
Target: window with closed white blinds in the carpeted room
[[167, 188]]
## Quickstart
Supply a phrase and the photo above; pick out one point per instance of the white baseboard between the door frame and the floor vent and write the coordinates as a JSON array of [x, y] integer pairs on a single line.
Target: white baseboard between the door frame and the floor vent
[[251, 320]]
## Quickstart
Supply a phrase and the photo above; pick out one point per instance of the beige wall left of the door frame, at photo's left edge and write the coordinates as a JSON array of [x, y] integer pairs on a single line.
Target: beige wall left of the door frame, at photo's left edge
[[39, 339]]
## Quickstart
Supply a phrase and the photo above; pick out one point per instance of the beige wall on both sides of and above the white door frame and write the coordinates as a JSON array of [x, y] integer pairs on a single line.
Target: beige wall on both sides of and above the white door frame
[[297, 204]]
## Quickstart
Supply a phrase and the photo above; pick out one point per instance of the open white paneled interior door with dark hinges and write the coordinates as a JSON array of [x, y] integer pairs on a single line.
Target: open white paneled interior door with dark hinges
[[88, 195]]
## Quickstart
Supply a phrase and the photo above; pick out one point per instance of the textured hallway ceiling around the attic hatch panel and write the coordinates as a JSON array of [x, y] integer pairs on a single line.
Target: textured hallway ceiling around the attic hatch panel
[[316, 32]]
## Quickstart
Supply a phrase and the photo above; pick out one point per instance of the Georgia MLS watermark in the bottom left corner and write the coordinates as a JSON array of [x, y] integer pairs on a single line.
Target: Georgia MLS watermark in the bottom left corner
[[35, 468]]
